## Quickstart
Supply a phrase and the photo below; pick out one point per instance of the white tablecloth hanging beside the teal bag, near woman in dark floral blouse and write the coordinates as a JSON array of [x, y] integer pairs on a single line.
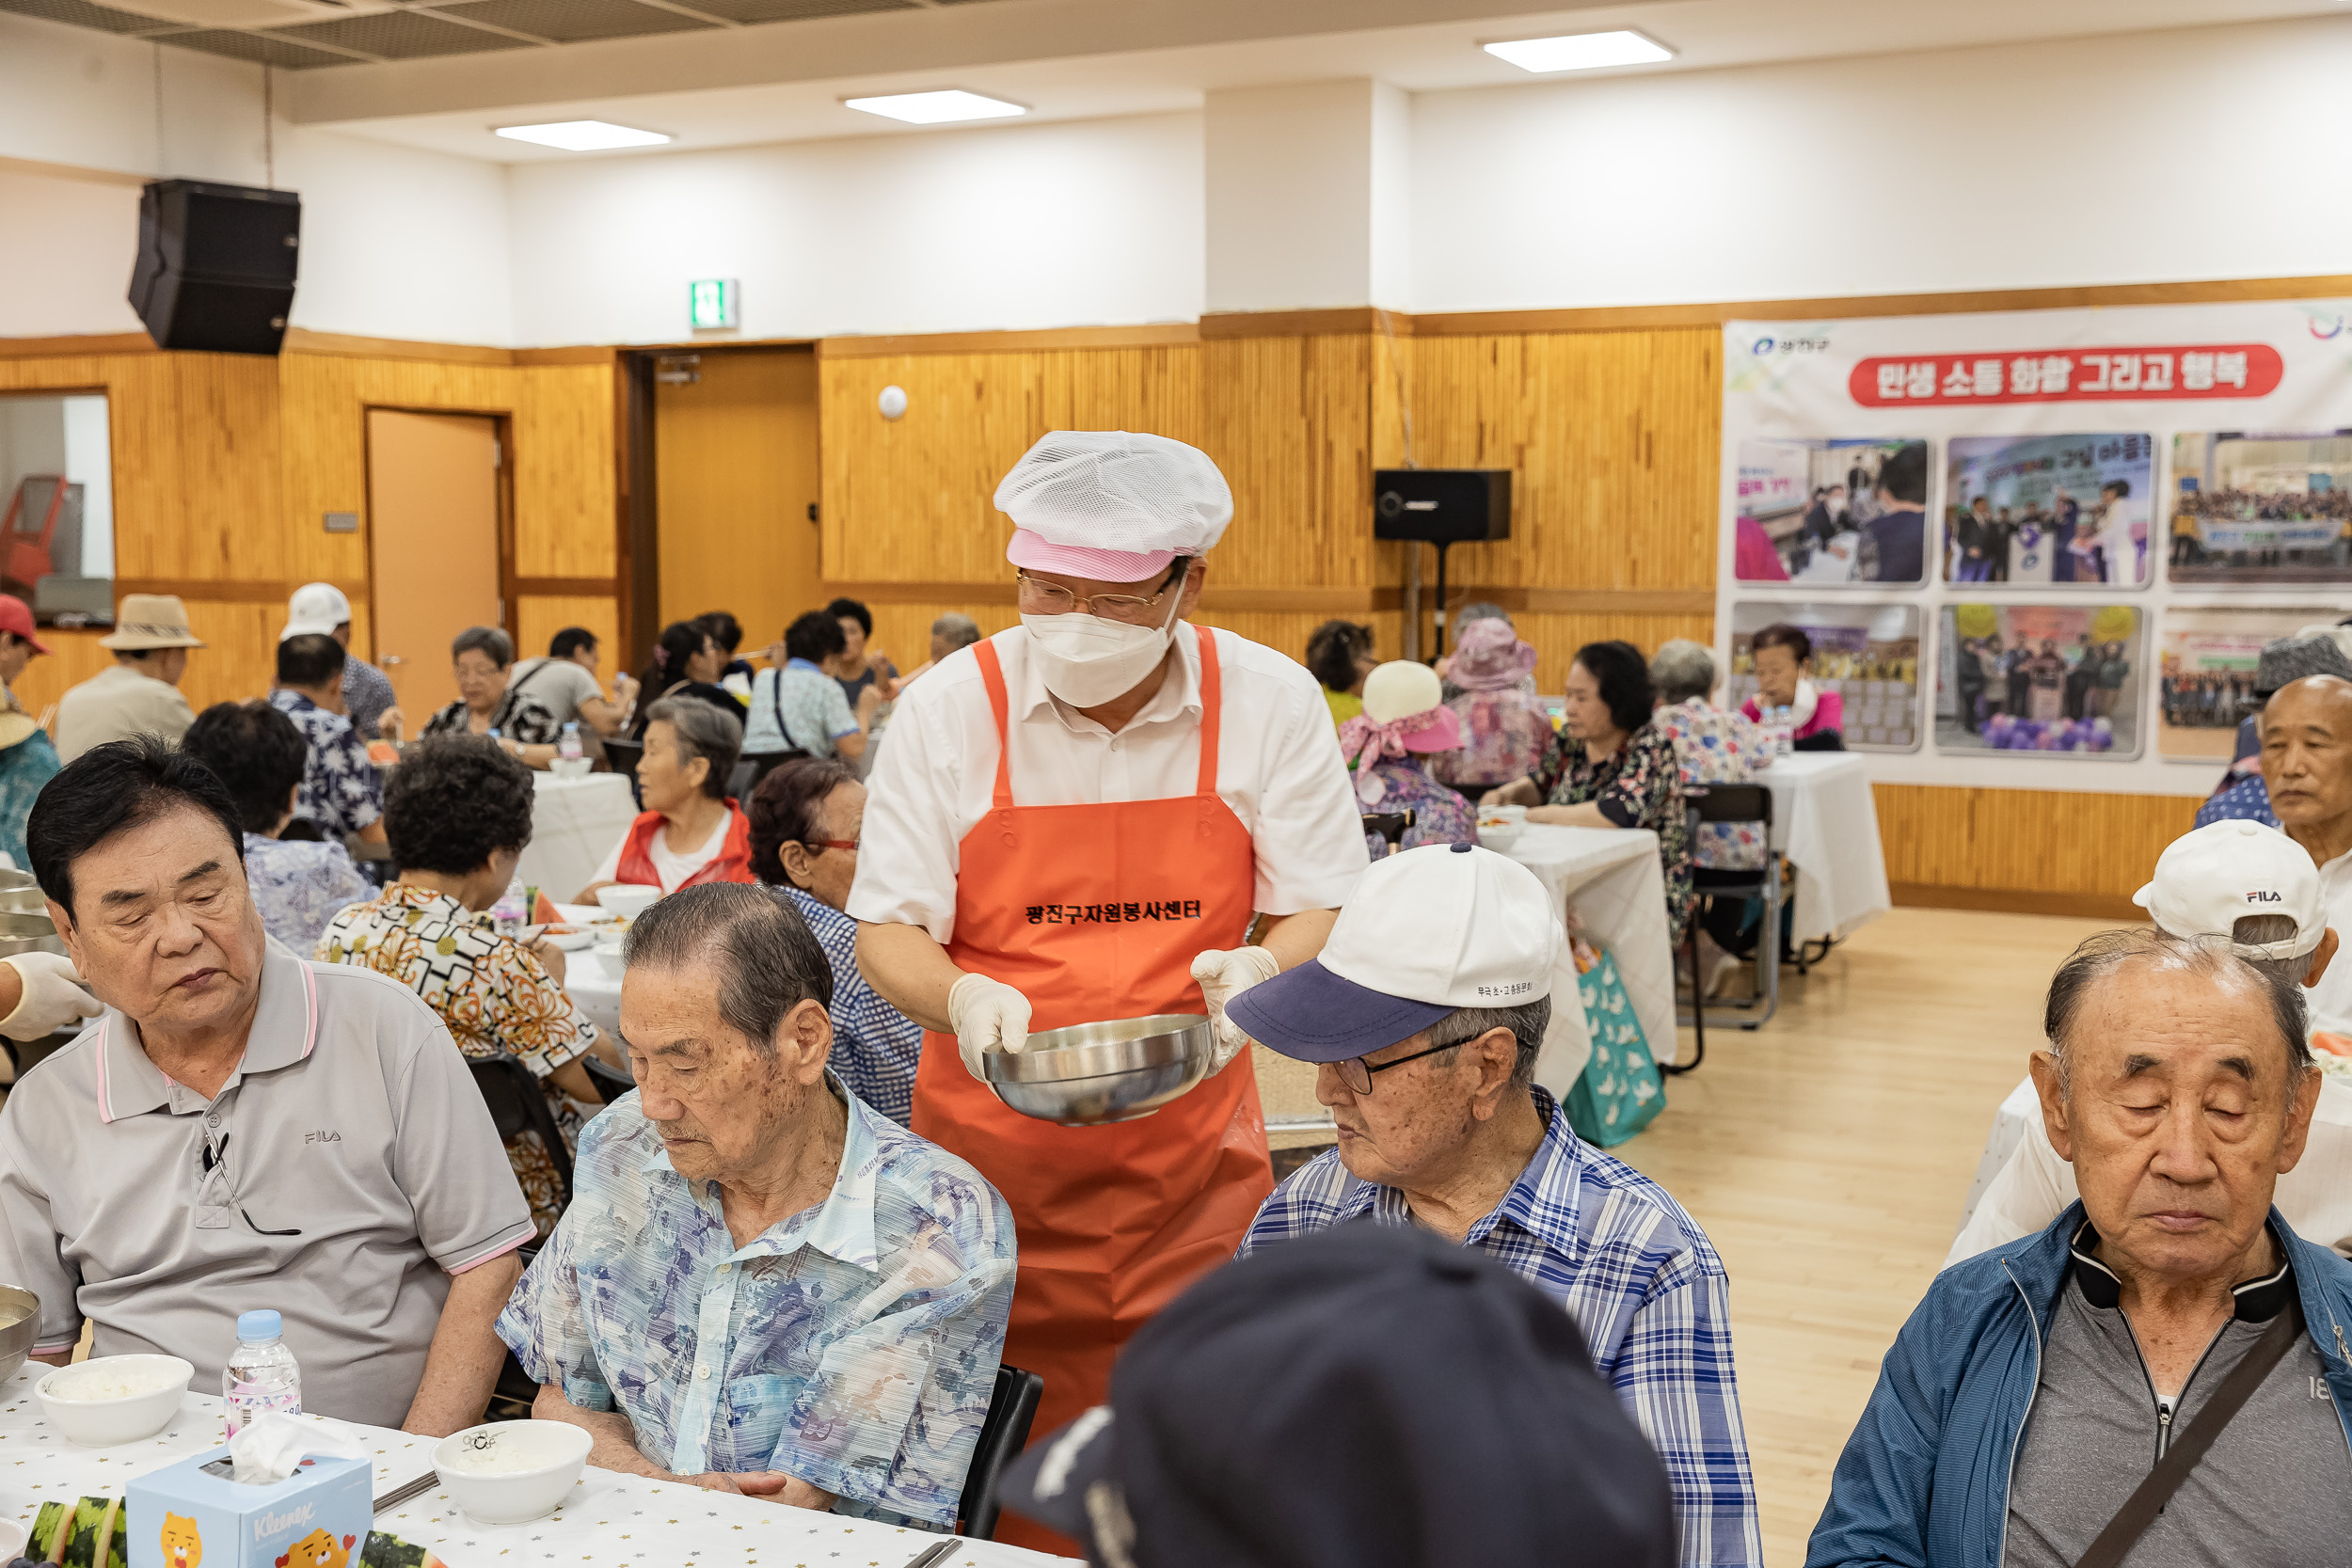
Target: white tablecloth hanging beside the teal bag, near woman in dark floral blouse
[[1612, 878]]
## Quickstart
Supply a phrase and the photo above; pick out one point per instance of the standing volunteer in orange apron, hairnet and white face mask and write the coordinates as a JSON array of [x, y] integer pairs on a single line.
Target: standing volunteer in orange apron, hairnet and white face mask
[[1071, 824]]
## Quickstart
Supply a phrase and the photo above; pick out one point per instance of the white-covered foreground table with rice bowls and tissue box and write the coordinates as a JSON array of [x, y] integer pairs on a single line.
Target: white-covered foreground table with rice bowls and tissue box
[[610, 1520]]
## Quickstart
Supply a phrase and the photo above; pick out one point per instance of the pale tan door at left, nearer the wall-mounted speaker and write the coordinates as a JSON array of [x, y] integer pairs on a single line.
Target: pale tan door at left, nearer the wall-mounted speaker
[[434, 547]]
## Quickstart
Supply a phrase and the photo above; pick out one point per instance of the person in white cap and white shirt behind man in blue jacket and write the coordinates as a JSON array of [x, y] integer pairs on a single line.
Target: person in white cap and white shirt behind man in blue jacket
[[2259, 890]]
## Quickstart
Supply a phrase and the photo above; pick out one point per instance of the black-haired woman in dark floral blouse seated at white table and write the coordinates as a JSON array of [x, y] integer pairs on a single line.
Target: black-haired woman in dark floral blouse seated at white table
[[1610, 768]]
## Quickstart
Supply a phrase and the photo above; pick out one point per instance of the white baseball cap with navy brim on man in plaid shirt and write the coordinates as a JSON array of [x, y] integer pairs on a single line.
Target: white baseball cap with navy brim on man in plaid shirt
[[1429, 932]]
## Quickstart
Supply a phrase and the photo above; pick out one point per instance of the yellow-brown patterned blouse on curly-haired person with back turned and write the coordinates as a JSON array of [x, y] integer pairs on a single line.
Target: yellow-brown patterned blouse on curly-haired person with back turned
[[490, 991]]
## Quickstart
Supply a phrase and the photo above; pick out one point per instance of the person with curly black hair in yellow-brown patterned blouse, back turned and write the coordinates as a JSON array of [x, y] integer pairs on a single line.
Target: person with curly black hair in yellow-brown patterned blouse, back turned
[[457, 815]]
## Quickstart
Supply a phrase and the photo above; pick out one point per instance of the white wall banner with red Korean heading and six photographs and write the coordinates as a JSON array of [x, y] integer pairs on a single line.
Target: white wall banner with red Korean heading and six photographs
[[2043, 492]]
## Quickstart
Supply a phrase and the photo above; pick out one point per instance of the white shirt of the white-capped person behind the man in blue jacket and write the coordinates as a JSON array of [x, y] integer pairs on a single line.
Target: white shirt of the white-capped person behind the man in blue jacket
[[2022, 1184]]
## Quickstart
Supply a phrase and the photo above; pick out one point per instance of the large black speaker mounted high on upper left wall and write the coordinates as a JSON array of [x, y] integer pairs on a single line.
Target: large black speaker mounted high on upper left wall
[[218, 267]]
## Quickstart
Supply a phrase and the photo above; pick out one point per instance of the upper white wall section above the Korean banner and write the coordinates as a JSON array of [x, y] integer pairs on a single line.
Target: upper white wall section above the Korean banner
[[2137, 159]]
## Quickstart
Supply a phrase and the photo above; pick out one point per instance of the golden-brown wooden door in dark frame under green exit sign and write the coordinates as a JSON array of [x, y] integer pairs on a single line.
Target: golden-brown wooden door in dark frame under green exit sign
[[735, 464]]
